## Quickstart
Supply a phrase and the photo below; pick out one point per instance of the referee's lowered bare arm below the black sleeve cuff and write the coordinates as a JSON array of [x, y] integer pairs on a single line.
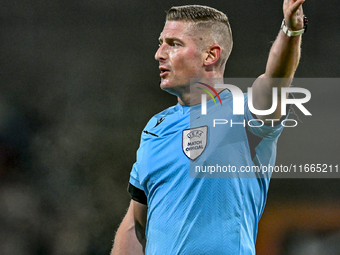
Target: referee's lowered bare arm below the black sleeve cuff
[[130, 238]]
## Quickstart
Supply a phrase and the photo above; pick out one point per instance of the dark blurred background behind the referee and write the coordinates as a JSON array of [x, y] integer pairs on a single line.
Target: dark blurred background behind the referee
[[78, 84]]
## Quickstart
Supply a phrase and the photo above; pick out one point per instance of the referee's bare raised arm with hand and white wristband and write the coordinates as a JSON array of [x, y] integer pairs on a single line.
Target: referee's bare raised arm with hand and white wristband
[[282, 62]]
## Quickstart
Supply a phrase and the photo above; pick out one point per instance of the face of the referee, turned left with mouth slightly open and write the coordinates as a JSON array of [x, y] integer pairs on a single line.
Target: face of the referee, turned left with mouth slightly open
[[179, 57]]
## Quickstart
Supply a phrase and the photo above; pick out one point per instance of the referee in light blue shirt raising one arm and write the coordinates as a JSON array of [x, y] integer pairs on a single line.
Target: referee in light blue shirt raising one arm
[[170, 212]]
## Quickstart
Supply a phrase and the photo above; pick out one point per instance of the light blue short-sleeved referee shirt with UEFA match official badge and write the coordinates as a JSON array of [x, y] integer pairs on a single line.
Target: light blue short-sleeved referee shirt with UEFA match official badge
[[203, 215]]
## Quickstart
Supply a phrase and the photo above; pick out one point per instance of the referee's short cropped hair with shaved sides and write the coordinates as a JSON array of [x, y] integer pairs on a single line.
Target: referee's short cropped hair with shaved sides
[[206, 20]]
